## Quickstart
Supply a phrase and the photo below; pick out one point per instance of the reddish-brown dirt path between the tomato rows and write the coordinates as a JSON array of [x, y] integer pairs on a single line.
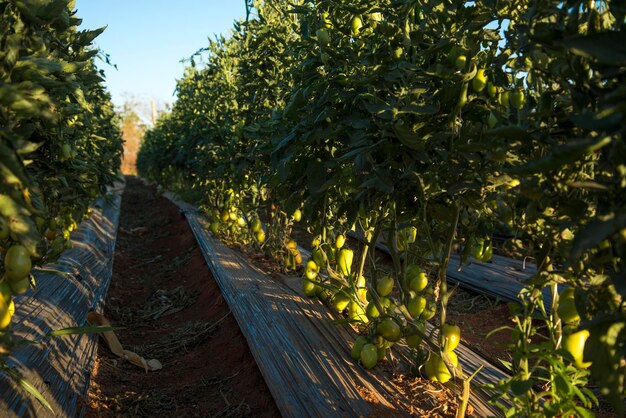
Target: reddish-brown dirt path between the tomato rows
[[163, 293]]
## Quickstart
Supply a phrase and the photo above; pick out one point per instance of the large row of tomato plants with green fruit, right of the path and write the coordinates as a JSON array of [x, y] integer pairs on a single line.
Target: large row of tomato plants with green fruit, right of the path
[[433, 124]]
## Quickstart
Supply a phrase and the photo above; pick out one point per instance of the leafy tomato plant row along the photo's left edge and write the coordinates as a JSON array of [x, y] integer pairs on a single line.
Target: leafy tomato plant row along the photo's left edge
[[59, 142]]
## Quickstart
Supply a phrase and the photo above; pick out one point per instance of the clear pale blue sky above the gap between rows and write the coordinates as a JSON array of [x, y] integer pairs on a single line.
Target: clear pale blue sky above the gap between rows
[[147, 39]]
